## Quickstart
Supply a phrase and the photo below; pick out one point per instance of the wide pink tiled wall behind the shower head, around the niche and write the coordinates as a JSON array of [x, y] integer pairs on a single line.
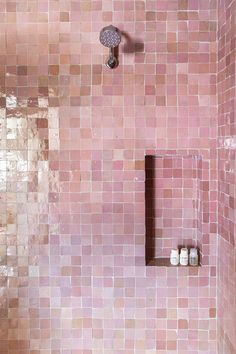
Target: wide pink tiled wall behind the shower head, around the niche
[[74, 136]]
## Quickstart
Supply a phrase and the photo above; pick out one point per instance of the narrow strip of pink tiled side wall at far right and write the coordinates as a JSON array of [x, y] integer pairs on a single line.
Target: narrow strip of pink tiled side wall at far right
[[227, 173]]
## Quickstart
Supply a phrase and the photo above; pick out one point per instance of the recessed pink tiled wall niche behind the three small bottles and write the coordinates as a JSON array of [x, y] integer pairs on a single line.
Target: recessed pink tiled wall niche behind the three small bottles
[[172, 200]]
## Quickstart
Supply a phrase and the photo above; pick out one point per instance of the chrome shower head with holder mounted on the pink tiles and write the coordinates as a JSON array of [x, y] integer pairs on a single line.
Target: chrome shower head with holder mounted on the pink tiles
[[110, 37]]
